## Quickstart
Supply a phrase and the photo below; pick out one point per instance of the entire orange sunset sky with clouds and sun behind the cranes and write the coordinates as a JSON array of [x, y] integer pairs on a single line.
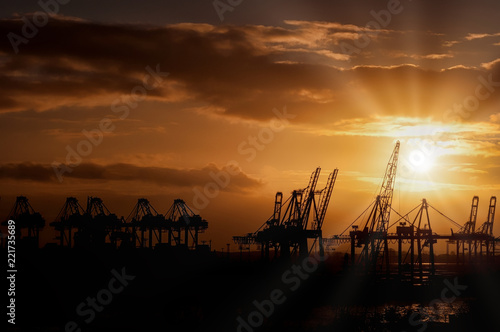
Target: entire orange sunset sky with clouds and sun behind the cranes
[[224, 103]]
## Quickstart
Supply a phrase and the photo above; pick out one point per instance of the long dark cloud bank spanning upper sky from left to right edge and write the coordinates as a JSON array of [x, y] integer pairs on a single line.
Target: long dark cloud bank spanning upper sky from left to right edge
[[243, 71]]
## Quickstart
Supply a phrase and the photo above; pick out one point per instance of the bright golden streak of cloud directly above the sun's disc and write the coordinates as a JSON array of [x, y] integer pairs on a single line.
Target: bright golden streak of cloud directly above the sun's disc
[[473, 139]]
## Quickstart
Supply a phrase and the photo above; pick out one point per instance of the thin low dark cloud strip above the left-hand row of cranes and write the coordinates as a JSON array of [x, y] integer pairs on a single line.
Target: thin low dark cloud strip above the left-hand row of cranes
[[161, 176]]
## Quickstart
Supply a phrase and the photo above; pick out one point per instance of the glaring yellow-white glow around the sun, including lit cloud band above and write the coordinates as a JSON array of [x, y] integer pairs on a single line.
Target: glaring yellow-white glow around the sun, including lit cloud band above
[[434, 155]]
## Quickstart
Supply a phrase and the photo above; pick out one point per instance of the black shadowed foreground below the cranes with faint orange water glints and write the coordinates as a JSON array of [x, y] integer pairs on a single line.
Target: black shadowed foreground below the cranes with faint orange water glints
[[142, 290]]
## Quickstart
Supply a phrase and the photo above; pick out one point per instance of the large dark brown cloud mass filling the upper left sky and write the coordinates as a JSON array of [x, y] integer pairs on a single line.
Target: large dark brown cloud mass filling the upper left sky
[[61, 67]]
